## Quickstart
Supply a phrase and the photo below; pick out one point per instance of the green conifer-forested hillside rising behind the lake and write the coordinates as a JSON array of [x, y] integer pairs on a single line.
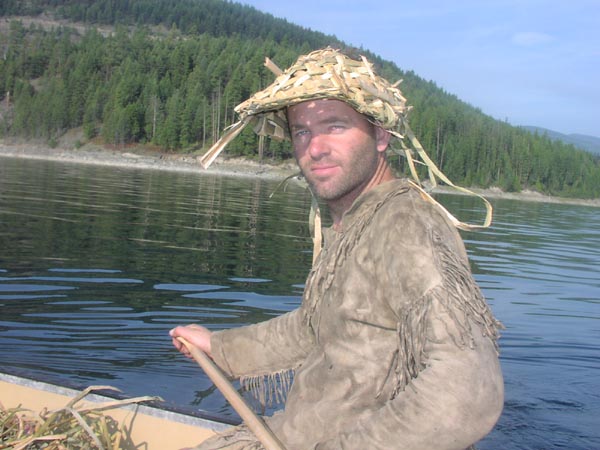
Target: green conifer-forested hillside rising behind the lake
[[169, 73]]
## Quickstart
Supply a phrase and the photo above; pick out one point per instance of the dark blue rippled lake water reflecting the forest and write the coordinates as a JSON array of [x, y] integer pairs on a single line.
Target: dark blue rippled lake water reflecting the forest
[[97, 264]]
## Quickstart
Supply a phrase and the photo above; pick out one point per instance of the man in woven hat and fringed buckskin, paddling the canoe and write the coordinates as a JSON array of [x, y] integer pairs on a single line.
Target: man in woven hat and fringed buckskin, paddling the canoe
[[393, 346]]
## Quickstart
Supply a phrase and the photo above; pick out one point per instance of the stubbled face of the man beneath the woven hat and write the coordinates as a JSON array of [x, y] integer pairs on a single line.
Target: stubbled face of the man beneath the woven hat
[[337, 148]]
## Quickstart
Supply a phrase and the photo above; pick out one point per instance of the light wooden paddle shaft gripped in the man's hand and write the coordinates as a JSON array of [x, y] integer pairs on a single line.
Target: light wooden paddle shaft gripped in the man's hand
[[254, 423]]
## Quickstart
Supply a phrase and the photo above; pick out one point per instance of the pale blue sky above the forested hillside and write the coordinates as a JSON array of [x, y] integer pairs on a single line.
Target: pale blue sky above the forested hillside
[[530, 62]]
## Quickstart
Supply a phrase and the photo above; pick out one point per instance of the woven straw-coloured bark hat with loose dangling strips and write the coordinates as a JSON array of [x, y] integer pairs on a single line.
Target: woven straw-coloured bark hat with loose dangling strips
[[330, 74]]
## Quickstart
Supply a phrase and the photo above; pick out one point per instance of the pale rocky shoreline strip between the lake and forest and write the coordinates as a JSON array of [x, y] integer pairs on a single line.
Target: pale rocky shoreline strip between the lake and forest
[[142, 158]]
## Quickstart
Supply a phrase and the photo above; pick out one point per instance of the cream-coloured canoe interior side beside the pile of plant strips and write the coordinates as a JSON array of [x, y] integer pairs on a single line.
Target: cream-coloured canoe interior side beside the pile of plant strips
[[150, 427]]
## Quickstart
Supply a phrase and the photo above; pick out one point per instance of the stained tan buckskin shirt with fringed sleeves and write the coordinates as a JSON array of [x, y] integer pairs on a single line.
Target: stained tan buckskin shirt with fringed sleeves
[[393, 347]]
